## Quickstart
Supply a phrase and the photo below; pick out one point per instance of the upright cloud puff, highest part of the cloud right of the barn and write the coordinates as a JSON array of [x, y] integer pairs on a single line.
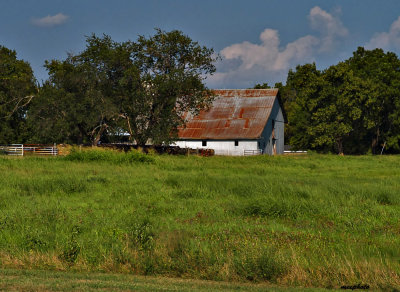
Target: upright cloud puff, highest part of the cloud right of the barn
[[330, 28]]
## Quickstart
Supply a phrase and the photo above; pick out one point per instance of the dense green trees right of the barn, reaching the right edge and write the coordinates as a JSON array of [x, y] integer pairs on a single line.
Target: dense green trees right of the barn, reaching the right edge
[[352, 107]]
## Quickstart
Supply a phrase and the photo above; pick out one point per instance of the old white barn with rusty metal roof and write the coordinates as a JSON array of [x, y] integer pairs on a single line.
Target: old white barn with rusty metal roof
[[239, 122]]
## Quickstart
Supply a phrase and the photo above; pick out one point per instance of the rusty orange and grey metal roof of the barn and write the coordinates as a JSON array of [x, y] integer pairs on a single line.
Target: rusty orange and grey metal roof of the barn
[[234, 114]]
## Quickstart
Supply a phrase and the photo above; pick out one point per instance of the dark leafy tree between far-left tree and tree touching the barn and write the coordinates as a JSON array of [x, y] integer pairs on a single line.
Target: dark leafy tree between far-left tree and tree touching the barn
[[78, 104]]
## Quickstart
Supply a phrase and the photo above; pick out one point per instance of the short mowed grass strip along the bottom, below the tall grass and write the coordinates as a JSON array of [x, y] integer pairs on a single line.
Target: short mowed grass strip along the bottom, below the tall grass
[[41, 280]]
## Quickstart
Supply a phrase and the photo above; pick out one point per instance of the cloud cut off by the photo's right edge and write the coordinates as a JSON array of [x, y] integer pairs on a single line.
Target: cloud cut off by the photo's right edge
[[387, 40]]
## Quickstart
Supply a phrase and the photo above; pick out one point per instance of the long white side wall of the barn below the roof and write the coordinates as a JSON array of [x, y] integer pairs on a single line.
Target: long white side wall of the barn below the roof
[[221, 147]]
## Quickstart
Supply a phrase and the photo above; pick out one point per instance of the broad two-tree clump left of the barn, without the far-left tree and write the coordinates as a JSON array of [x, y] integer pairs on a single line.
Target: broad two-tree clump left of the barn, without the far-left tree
[[141, 87]]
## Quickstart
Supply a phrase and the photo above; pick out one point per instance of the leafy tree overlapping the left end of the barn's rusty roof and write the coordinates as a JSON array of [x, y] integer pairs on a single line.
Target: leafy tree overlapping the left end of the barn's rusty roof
[[172, 69]]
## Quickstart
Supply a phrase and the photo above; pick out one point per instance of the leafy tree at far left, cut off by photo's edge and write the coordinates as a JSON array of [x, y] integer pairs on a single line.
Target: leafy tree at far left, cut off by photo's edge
[[17, 86]]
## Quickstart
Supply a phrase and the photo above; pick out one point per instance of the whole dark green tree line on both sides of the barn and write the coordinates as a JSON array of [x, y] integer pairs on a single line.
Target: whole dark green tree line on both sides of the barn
[[144, 87]]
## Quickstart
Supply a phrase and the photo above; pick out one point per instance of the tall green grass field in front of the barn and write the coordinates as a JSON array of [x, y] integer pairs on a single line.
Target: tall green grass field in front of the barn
[[287, 221]]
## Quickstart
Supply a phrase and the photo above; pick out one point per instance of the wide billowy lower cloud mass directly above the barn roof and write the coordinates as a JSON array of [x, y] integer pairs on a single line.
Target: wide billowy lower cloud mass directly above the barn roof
[[262, 62]]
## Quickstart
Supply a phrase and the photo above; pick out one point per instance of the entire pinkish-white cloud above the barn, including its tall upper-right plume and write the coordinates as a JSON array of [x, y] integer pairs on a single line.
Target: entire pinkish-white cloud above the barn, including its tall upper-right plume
[[245, 64]]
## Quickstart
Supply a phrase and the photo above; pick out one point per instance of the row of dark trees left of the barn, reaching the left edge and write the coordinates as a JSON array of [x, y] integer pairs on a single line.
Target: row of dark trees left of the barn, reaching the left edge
[[108, 90]]
